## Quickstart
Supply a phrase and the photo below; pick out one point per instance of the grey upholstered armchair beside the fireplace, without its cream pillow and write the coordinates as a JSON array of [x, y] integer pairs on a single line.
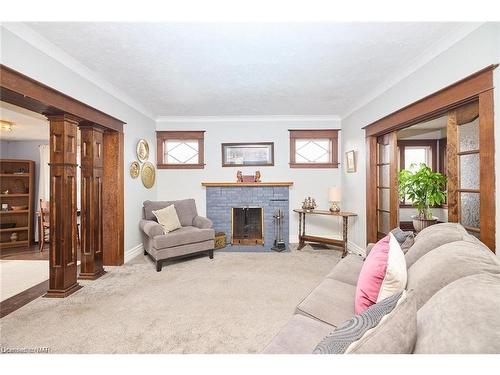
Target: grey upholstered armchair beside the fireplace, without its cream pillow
[[195, 236]]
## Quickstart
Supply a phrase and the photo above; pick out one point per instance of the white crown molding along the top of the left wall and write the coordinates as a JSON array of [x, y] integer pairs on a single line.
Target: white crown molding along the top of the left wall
[[37, 41]]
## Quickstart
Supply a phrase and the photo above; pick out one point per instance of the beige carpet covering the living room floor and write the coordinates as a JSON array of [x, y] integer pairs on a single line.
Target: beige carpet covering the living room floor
[[233, 304]]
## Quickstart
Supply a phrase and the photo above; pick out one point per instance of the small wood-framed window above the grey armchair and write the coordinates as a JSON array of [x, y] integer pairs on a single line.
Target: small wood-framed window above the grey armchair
[[180, 149]]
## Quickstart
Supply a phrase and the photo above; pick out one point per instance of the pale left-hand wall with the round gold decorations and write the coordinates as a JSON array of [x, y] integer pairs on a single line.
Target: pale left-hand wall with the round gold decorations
[[28, 59]]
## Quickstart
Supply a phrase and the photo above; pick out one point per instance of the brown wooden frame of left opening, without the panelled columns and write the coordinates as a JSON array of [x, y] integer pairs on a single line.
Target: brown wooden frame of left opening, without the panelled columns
[[23, 91]]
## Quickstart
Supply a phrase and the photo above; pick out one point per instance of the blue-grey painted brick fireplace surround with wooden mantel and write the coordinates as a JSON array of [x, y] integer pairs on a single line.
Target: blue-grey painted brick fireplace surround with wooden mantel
[[221, 197]]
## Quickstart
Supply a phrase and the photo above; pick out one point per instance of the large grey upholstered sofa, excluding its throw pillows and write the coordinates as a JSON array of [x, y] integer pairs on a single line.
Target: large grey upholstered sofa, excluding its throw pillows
[[456, 280]]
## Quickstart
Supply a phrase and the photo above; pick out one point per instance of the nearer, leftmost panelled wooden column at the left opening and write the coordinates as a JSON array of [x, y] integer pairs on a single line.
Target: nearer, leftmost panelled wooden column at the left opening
[[63, 256]]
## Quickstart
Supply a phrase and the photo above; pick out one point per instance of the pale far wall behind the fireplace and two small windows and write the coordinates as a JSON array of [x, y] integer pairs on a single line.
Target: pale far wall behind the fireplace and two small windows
[[186, 183]]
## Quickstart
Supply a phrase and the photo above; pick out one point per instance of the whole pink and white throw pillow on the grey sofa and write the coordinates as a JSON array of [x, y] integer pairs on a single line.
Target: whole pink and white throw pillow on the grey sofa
[[383, 274]]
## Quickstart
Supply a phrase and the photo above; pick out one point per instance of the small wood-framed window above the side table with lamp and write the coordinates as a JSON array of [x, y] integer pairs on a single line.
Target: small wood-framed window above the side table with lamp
[[314, 148]]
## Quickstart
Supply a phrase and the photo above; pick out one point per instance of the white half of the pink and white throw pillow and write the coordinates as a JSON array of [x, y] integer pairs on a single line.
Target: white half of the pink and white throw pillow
[[396, 273]]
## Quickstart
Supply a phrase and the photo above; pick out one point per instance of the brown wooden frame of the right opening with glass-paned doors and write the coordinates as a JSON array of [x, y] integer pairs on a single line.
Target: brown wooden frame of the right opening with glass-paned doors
[[477, 86]]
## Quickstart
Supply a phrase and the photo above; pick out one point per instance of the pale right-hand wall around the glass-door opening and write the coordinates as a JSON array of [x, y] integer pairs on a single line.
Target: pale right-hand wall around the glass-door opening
[[476, 51]]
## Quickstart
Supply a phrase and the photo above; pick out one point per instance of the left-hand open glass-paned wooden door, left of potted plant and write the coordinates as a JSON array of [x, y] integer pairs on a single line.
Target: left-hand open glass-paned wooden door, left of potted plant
[[387, 196]]
